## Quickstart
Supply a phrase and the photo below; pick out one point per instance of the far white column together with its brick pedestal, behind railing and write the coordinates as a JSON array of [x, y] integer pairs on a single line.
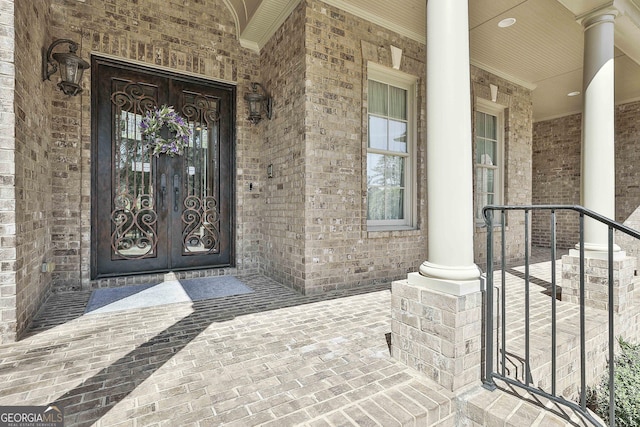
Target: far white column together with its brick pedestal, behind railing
[[598, 175]]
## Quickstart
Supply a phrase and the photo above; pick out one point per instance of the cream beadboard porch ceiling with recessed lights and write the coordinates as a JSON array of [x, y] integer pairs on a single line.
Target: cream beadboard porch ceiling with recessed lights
[[542, 51]]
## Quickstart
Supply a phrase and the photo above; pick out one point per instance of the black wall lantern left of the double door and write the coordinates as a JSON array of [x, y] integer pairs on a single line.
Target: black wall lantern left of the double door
[[71, 66]]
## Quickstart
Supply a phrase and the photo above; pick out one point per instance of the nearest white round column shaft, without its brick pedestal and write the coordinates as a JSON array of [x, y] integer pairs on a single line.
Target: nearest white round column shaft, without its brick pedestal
[[449, 268]]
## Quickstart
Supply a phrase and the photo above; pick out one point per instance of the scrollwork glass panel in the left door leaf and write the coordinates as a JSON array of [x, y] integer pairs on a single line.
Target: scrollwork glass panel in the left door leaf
[[133, 216]]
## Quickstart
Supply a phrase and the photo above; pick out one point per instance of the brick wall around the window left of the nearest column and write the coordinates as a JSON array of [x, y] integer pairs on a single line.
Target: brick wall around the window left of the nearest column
[[339, 250]]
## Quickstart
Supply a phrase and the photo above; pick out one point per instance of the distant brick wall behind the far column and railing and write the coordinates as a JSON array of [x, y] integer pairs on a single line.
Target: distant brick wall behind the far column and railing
[[556, 159]]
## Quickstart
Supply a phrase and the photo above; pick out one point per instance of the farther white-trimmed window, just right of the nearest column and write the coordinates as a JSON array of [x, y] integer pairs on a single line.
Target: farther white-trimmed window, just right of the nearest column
[[489, 146]]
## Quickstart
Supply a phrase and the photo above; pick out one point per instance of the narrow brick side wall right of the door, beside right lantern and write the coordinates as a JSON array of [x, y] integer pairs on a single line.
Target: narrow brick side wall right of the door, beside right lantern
[[283, 62]]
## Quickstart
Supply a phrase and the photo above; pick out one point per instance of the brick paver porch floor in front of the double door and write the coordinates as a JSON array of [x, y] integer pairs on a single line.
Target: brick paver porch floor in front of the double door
[[272, 357]]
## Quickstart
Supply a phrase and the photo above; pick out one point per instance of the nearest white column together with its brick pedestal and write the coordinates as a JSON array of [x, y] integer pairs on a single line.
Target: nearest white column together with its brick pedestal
[[436, 313]]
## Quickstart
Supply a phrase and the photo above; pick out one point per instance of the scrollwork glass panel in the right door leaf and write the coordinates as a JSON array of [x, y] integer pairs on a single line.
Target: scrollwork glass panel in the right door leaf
[[200, 205]]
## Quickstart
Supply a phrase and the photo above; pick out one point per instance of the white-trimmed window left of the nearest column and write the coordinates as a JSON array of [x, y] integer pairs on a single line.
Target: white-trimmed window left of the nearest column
[[390, 148]]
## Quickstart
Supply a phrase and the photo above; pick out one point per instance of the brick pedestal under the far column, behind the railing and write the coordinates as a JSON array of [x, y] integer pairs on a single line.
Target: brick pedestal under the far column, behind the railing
[[596, 281]]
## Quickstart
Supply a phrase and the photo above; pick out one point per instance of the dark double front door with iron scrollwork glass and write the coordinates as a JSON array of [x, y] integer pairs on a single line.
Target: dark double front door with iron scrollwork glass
[[159, 213]]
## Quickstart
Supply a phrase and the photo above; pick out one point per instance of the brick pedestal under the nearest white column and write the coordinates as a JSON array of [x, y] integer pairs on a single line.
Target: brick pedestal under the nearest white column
[[437, 334]]
